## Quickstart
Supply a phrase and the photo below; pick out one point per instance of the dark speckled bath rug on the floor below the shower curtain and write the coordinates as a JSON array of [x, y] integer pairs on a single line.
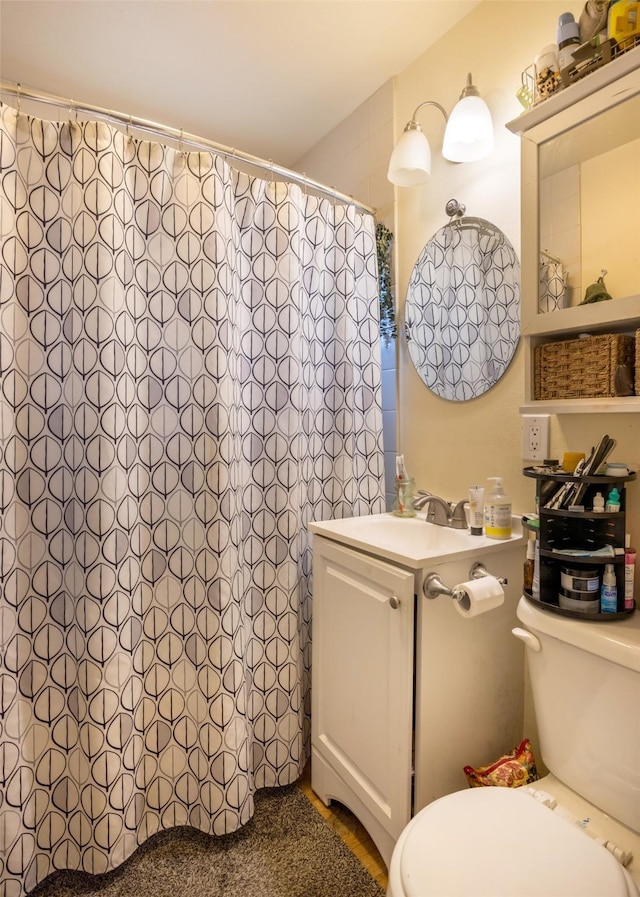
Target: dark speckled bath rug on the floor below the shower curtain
[[286, 850]]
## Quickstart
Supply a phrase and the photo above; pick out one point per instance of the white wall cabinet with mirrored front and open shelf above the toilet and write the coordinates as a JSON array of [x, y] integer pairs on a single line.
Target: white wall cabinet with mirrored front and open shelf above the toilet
[[580, 151]]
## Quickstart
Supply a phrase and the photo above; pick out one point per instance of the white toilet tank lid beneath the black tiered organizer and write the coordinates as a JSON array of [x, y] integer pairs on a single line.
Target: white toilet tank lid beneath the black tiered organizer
[[617, 640]]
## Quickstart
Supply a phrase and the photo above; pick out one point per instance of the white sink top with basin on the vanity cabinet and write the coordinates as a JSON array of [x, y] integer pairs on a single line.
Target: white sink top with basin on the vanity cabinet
[[409, 541]]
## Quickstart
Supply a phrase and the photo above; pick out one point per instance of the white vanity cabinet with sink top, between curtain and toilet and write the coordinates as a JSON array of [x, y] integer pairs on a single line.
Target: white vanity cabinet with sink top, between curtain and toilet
[[406, 691]]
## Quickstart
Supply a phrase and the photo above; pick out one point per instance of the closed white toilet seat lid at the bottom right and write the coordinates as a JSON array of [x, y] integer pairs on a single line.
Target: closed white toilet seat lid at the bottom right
[[500, 842]]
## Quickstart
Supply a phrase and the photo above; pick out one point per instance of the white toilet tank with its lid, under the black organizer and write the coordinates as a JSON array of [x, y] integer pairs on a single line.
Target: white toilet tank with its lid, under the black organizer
[[585, 680]]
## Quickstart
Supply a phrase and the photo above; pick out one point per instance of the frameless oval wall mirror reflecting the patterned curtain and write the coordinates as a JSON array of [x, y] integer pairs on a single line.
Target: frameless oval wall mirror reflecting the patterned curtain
[[462, 315]]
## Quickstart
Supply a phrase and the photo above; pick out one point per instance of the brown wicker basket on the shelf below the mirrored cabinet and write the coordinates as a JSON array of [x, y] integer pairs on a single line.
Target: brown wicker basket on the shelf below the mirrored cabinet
[[585, 368]]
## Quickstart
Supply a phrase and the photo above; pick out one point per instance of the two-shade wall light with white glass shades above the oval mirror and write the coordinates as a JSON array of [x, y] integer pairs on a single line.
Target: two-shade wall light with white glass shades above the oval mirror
[[468, 137]]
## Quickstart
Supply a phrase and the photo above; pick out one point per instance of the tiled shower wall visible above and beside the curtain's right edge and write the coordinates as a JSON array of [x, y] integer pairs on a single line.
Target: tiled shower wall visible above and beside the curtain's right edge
[[354, 158]]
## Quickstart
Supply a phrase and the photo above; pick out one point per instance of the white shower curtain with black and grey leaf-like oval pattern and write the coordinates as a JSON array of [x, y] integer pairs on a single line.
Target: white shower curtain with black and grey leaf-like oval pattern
[[189, 362]]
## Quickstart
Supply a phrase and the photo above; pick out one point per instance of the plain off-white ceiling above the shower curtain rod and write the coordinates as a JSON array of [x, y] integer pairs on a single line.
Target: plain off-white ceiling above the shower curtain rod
[[267, 77]]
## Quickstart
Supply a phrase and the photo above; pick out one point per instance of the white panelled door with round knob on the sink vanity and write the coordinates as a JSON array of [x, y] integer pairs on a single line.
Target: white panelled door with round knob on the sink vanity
[[362, 679]]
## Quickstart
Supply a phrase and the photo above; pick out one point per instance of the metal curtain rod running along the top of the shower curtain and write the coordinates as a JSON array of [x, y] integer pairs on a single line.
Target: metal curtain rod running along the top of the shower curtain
[[140, 124]]
